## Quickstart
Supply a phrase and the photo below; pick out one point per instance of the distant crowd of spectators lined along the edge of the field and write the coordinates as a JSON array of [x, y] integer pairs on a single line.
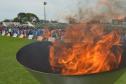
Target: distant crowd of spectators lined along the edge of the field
[[32, 33]]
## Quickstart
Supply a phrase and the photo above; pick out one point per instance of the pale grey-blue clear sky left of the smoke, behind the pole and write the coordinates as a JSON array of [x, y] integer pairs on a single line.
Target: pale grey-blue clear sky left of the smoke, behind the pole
[[55, 9]]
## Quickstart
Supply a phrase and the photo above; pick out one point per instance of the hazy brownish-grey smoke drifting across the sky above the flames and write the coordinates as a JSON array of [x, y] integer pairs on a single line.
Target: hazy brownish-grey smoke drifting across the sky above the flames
[[103, 10]]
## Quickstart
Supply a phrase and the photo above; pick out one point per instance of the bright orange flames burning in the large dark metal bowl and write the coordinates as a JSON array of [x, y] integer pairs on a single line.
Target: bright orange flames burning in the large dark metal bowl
[[86, 49]]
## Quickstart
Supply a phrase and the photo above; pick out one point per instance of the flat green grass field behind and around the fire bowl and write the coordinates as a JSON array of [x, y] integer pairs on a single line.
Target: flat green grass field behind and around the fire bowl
[[11, 72]]
